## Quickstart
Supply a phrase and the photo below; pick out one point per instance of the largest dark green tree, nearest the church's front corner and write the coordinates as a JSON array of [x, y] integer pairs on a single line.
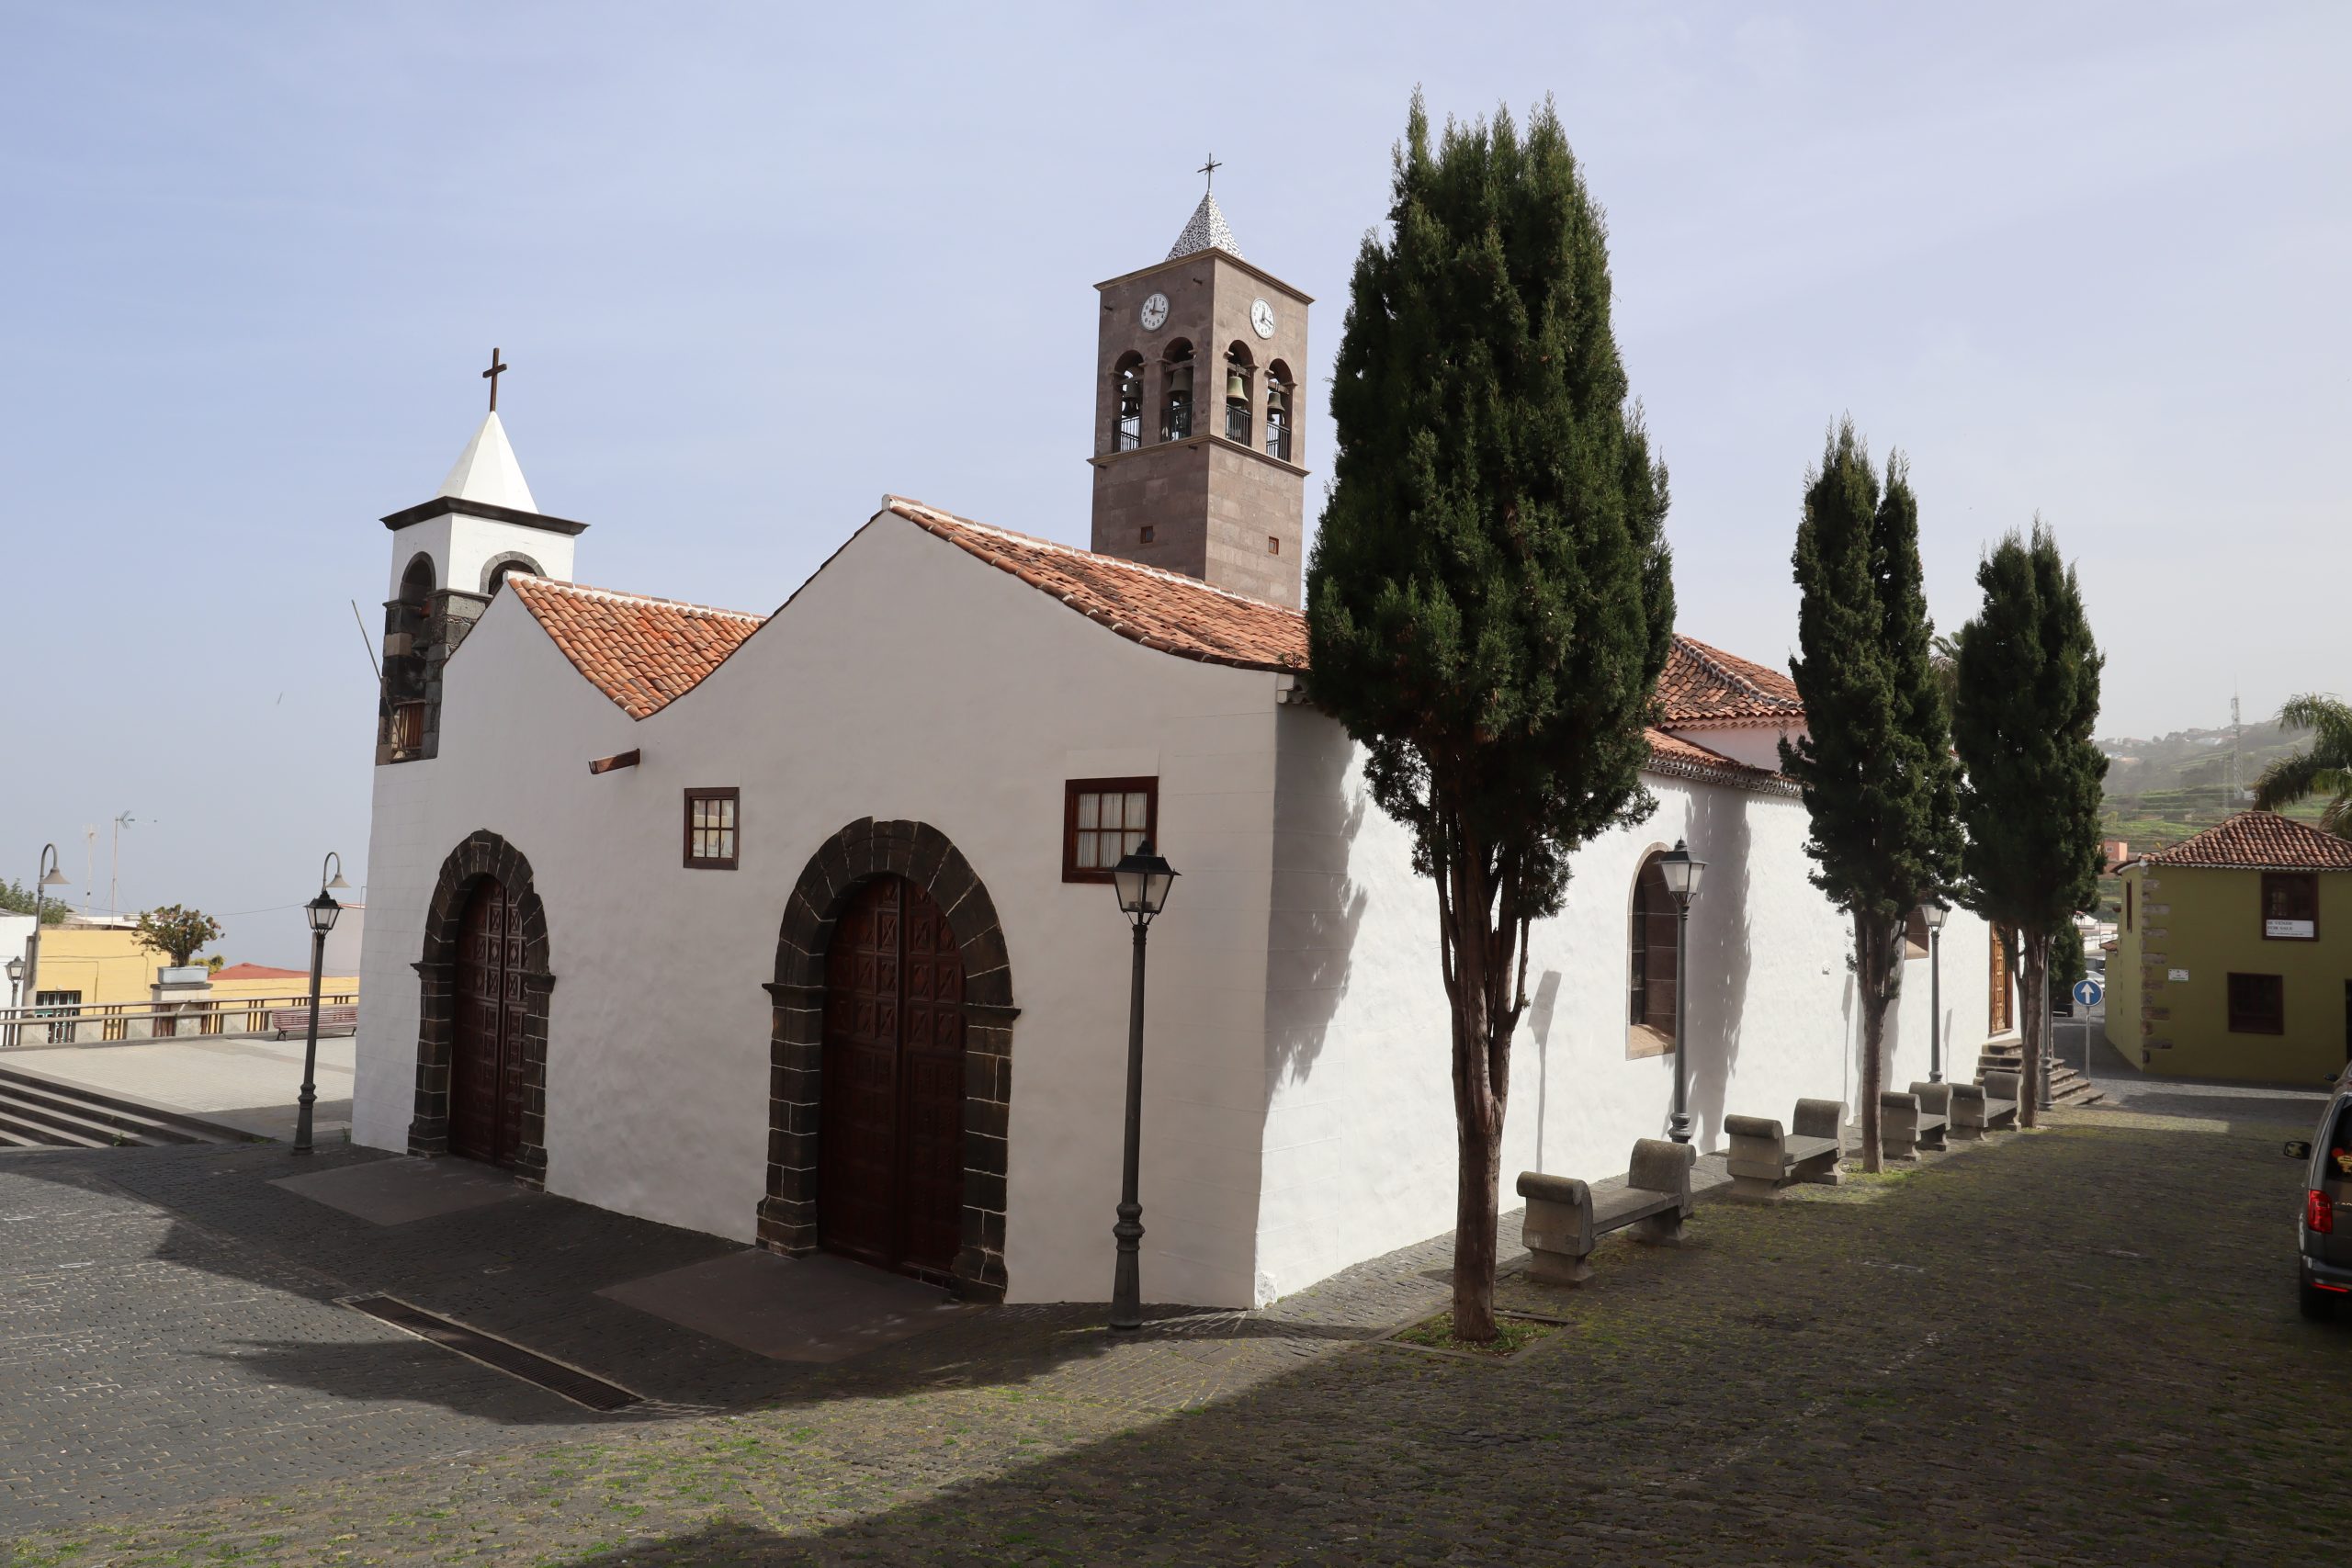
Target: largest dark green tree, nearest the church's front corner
[[1490, 601]]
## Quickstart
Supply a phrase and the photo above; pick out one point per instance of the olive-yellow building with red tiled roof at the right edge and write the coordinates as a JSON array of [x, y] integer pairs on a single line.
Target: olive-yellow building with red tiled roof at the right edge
[[2233, 956]]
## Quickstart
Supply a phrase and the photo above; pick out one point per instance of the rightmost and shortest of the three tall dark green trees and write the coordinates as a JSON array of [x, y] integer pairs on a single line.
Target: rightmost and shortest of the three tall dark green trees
[[2029, 699]]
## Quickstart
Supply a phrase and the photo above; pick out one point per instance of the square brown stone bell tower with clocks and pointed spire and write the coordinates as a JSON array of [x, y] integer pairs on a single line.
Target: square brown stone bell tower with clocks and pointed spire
[[1198, 455]]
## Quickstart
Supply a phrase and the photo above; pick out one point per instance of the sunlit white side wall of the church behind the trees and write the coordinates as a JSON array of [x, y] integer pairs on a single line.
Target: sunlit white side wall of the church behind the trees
[[1361, 1104]]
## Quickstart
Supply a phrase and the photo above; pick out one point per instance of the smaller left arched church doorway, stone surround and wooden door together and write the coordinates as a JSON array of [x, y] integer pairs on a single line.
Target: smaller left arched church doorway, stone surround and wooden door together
[[483, 1012]]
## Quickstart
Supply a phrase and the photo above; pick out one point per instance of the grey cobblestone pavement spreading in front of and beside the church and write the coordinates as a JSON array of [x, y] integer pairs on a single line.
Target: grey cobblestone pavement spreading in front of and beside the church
[[2073, 1346]]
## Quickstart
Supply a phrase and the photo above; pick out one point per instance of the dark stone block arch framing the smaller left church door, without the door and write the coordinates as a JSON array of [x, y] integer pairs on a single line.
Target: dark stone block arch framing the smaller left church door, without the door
[[483, 855]]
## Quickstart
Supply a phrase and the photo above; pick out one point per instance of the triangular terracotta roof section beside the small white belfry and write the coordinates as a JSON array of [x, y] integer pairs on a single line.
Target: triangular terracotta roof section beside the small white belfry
[[639, 652]]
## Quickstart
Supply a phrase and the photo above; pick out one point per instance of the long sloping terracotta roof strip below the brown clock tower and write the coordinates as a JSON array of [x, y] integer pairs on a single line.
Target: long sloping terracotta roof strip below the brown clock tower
[[1161, 610]]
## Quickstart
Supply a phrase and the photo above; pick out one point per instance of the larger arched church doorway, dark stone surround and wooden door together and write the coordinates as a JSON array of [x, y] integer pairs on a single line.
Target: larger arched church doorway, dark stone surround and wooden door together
[[893, 1024]]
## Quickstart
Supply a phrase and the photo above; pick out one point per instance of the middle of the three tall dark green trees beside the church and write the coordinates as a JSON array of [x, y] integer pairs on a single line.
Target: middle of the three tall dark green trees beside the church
[[1876, 760]]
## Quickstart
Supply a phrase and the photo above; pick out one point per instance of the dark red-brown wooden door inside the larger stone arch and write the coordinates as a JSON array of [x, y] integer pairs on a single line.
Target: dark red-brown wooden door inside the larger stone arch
[[893, 1130]]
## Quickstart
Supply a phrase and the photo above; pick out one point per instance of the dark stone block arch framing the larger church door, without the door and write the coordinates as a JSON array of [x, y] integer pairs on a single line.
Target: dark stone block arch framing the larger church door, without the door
[[857, 855]]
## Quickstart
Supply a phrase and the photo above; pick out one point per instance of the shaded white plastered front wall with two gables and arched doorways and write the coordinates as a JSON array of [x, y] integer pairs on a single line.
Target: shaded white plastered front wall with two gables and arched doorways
[[907, 681]]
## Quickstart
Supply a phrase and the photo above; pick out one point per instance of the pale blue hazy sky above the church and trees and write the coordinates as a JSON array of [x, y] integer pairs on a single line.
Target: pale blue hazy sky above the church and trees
[[759, 264]]
